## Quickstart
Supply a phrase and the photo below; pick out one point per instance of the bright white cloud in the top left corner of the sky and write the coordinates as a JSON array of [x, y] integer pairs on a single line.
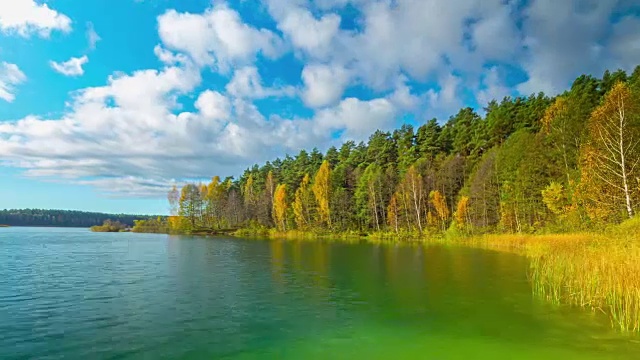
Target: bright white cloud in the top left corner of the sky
[[26, 17]]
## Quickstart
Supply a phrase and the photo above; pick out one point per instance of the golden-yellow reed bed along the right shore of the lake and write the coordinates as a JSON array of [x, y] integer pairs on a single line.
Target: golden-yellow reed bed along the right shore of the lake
[[596, 271]]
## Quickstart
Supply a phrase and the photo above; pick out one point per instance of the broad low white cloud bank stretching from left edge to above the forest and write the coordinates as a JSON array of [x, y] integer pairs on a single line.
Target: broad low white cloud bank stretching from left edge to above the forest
[[129, 134]]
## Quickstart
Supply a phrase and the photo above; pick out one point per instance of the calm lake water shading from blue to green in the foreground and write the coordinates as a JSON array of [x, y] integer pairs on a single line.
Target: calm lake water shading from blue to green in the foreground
[[73, 294]]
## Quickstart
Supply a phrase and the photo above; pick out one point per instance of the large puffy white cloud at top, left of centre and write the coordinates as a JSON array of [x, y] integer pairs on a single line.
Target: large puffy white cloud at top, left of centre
[[217, 37]]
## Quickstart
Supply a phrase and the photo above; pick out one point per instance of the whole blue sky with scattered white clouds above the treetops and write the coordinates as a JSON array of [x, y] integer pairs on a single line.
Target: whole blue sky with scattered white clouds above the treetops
[[104, 106]]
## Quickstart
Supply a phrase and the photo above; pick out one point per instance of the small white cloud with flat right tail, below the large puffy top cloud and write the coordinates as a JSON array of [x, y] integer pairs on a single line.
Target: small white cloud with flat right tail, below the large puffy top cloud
[[247, 83]]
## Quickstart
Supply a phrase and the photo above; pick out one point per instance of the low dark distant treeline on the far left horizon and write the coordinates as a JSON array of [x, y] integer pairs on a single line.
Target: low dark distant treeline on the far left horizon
[[63, 218]]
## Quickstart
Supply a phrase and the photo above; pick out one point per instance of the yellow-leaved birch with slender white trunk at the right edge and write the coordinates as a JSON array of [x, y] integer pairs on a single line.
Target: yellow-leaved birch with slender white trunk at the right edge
[[611, 156]]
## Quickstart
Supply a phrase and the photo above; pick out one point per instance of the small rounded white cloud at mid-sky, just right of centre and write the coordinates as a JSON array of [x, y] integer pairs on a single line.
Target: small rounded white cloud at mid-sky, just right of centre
[[324, 84]]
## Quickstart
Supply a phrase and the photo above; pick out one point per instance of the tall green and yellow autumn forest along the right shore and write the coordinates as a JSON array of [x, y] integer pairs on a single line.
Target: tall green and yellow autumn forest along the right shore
[[530, 164]]
